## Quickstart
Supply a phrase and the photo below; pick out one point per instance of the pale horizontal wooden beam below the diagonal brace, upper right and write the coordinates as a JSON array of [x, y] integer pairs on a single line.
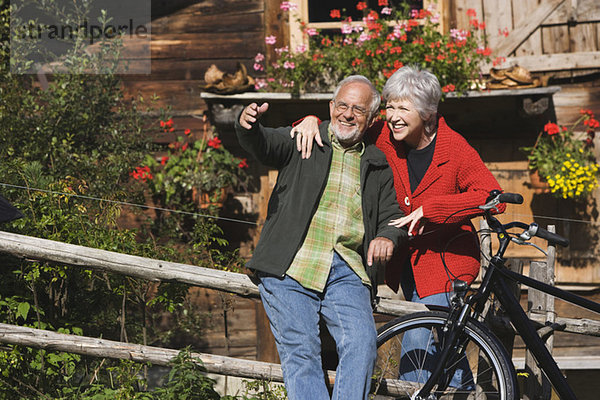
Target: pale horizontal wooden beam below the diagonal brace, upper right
[[552, 62]]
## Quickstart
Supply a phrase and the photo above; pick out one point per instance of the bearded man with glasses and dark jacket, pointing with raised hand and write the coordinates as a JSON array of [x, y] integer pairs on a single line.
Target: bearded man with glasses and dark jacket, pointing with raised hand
[[324, 240]]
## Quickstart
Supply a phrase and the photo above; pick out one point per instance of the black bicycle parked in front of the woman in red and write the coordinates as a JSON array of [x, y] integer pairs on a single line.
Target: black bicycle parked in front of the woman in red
[[458, 342]]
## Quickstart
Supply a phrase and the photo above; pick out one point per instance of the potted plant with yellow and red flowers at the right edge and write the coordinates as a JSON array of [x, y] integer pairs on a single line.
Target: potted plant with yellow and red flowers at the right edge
[[566, 164]]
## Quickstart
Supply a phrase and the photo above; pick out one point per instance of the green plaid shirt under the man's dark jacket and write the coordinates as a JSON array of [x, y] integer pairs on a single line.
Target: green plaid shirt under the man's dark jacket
[[337, 224]]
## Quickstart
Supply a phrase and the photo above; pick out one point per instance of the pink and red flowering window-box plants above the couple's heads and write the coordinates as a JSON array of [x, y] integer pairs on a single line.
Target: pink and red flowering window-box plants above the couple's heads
[[376, 47]]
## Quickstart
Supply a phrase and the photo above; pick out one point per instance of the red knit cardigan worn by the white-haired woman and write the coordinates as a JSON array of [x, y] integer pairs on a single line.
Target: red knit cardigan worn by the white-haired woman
[[455, 180]]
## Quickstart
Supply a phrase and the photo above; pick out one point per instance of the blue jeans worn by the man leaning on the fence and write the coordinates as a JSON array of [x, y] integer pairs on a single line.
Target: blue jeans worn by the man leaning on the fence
[[294, 313]]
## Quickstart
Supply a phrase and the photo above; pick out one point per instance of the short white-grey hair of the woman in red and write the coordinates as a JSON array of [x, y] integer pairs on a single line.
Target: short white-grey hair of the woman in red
[[420, 87]]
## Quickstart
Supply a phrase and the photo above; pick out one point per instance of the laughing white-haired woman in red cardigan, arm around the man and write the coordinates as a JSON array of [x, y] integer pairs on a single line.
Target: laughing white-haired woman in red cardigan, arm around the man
[[439, 180]]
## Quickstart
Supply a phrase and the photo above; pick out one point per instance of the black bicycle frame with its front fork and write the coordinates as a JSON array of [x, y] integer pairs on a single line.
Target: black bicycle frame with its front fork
[[496, 280]]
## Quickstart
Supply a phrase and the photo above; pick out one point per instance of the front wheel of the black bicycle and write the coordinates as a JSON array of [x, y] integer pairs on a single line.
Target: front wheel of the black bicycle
[[492, 375]]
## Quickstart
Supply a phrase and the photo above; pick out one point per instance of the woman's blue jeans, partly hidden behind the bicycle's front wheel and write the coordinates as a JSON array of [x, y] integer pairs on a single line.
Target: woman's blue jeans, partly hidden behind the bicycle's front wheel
[[417, 342]]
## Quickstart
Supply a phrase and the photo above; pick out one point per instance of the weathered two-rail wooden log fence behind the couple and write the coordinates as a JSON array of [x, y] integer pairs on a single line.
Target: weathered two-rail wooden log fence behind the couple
[[157, 270]]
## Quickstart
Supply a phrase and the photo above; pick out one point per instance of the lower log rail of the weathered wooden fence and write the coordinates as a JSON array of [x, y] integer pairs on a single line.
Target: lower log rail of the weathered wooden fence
[[52, 341]]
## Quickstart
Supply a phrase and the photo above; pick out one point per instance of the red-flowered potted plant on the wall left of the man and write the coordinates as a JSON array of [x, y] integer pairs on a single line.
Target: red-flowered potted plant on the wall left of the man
[[199, 171]]
